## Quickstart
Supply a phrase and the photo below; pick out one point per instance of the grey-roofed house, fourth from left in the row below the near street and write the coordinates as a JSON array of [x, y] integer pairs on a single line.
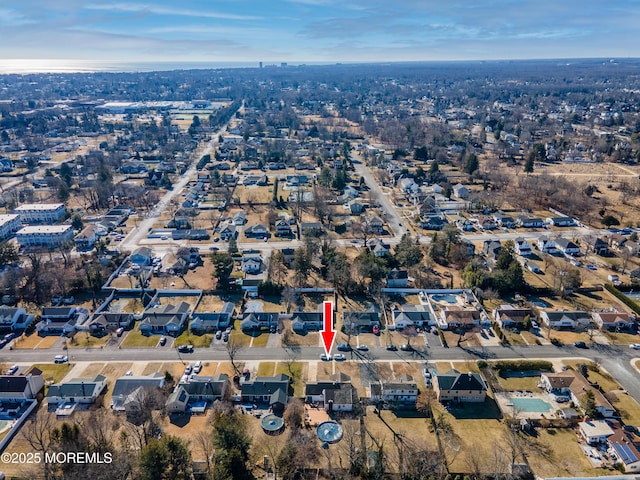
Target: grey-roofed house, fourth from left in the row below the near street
[[197, 393]]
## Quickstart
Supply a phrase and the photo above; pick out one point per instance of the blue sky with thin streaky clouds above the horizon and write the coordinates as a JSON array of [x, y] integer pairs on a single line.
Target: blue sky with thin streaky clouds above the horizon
[[316, 31]]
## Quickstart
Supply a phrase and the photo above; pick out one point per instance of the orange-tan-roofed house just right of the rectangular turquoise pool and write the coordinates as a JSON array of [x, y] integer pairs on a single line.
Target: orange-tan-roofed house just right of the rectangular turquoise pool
[[573, 386]]
